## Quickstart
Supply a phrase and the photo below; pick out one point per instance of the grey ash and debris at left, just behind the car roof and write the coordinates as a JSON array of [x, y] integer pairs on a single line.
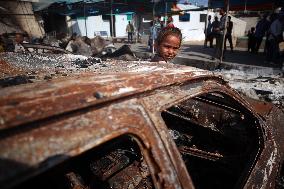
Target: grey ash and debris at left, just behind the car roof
[[22, 68]]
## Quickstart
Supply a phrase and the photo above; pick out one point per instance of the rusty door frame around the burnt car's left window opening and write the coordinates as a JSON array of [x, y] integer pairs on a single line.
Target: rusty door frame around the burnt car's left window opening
[[32, 151]]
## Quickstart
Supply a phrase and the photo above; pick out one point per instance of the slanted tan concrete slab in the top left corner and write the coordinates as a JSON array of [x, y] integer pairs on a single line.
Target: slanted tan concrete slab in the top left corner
[[22, 13]]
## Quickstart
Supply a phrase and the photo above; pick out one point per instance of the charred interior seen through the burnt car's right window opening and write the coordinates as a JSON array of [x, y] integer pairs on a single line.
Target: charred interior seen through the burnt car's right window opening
[[218, 139]]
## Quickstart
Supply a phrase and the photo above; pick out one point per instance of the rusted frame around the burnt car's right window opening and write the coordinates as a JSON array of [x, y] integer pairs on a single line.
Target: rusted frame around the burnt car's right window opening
[[184, 91]]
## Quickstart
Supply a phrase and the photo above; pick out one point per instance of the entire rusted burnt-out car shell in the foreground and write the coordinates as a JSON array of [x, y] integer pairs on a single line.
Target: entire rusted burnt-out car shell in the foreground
[[154, 126]]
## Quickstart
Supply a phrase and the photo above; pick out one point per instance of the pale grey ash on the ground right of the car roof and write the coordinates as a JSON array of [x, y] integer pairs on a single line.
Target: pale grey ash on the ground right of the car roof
[[265, 84]]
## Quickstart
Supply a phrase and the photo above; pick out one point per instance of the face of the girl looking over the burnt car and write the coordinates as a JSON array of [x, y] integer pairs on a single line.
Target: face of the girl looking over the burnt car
[[169, 47]]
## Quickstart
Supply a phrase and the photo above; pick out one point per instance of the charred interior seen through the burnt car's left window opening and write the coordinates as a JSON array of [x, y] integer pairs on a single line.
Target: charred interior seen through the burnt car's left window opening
[[117, 164]]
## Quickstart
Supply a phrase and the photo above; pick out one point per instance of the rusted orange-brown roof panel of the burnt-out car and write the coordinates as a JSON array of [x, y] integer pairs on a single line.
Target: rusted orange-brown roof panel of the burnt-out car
[[25, 103]]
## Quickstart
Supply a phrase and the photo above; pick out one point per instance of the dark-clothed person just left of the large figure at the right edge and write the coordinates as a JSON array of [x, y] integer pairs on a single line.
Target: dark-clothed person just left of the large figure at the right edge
[[260, 30]]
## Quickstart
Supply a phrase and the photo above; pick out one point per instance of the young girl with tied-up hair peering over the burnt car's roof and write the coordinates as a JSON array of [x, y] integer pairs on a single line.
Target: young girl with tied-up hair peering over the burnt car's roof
[[167, 44]]
